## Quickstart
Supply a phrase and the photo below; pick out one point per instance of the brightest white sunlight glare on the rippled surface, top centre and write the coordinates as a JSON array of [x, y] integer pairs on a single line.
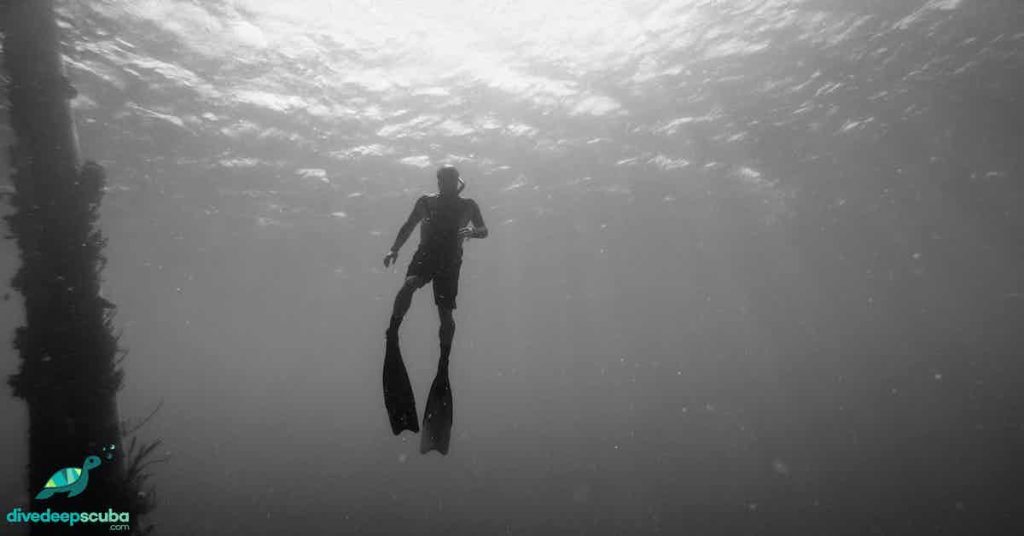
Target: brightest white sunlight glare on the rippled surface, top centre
[[422, 47]]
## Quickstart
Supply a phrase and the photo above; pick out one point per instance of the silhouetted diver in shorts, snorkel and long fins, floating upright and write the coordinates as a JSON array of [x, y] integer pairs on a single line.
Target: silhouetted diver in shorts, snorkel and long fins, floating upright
[[446, 222]]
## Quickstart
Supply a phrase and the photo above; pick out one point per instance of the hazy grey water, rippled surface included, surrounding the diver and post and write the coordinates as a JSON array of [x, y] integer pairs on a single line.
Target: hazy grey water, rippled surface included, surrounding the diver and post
[[753, 266]]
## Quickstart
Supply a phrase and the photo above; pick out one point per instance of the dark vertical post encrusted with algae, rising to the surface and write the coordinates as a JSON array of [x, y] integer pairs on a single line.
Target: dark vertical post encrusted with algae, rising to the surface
[[69, 375]]
